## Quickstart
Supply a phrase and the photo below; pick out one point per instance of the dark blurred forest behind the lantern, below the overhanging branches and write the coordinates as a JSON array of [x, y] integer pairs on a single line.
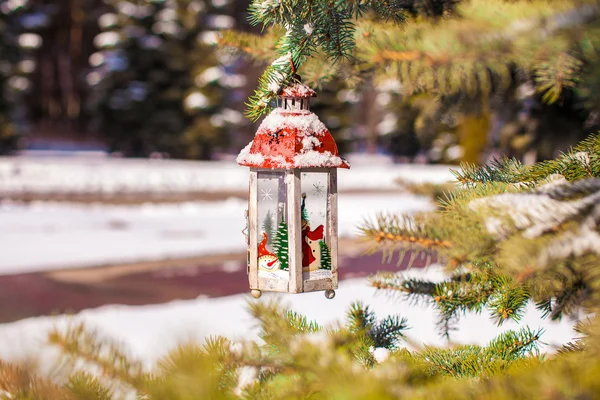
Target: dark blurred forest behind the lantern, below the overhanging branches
[[143, 79]]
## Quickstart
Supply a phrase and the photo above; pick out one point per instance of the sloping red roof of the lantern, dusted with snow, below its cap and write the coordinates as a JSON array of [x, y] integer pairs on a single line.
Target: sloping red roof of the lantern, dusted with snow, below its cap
[[292, 139]]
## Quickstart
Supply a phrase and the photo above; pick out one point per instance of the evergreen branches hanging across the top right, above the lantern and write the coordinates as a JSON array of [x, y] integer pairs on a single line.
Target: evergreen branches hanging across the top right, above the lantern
[[409, 42]]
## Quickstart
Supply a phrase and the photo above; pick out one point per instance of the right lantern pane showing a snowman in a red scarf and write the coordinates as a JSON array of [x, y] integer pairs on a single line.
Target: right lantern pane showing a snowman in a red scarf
[[316, 257]]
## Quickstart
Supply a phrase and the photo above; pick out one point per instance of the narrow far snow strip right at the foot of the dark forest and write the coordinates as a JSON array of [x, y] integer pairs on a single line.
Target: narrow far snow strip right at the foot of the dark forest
[[106, 176]]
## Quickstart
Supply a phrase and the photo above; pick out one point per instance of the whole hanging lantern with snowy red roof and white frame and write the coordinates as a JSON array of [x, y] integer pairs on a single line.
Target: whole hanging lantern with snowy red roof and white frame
[[292, 210]]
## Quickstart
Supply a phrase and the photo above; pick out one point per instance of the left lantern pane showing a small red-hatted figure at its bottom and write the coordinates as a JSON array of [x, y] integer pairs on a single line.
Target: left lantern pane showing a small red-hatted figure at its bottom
[[272, 229]]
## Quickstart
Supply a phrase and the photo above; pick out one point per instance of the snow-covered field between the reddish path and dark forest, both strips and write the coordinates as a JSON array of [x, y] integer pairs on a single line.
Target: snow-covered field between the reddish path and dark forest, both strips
[[43, 236]]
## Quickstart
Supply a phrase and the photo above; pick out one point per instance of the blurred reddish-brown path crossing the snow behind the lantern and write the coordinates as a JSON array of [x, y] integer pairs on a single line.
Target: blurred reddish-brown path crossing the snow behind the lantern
[[69, 291]]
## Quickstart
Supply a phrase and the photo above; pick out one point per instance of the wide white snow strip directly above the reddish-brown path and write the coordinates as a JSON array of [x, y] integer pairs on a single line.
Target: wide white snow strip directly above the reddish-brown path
[[44, 236]]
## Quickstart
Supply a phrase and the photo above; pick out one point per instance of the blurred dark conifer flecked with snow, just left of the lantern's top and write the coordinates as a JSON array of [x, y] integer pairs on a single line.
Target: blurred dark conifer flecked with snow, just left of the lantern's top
[[158, 84]]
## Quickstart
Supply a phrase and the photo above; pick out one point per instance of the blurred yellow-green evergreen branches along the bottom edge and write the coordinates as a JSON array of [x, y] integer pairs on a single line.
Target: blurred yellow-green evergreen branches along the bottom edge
[[296, 358]]
